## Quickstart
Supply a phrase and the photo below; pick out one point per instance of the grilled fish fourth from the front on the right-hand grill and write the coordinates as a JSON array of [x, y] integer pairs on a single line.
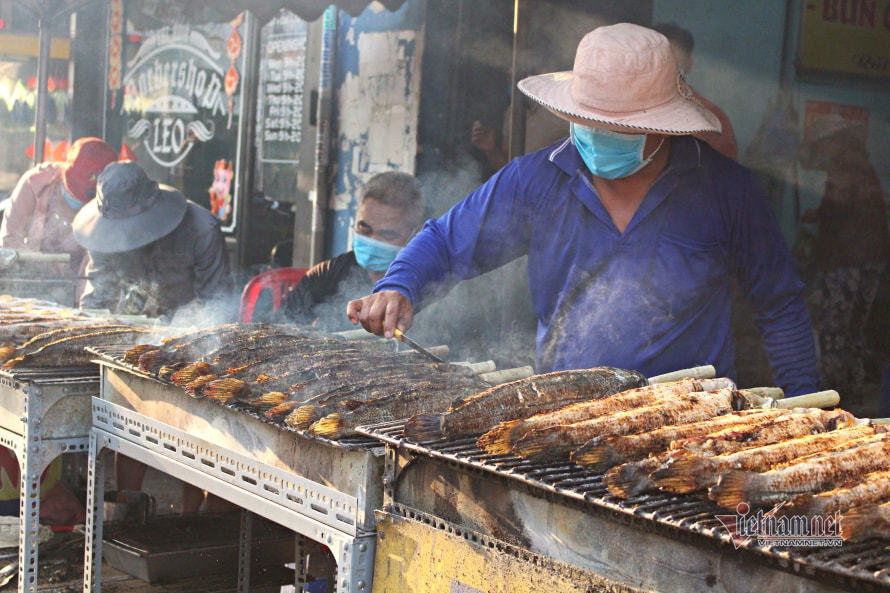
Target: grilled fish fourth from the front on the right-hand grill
[[694, 472]]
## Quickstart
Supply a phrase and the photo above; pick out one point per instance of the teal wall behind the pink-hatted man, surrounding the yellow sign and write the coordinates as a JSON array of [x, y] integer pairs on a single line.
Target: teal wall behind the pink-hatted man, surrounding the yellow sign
[[738, 49]]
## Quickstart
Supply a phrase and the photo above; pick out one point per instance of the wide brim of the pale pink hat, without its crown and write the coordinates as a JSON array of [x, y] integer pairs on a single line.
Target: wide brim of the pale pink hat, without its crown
[[677, 117]]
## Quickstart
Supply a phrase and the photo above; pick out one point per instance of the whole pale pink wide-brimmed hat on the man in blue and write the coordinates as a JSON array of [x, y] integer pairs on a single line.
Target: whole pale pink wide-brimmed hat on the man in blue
[[624, 76]]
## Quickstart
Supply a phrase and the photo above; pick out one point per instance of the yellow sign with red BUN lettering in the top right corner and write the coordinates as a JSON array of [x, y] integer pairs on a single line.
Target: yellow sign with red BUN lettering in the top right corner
[[850, 36]]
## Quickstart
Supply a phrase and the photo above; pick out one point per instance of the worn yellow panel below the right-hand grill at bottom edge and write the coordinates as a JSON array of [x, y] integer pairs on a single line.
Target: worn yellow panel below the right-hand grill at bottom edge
[[431, 556]]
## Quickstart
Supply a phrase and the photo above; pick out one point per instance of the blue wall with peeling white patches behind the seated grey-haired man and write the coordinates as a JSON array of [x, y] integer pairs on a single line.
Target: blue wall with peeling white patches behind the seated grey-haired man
[[377, 99]]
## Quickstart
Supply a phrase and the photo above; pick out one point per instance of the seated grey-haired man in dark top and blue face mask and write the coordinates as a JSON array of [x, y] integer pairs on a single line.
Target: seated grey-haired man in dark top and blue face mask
[[390, 211]]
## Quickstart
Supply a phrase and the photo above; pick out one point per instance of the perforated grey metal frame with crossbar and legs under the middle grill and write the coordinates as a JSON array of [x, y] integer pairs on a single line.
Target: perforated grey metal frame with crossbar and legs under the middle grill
[[271, 493]]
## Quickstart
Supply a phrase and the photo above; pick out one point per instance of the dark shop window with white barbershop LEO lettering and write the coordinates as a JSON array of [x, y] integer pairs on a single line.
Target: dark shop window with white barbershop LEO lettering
[[182, 110]]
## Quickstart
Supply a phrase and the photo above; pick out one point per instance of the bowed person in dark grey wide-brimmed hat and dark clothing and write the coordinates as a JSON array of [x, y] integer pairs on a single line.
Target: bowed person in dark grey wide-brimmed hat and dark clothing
[[151, 250]]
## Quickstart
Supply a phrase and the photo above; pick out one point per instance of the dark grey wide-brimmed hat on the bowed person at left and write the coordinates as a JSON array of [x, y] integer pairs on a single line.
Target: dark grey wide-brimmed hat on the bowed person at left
[[129, 211]]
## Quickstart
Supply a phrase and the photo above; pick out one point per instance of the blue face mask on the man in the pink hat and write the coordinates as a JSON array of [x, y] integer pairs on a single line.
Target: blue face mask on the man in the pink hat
[[610, 155]]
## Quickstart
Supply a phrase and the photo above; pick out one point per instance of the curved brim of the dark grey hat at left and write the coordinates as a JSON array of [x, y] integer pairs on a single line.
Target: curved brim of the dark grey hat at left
[[106, 235]]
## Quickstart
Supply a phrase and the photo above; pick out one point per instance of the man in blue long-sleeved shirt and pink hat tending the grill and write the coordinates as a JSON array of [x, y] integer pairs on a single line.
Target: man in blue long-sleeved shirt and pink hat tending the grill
[[633, 228]]
